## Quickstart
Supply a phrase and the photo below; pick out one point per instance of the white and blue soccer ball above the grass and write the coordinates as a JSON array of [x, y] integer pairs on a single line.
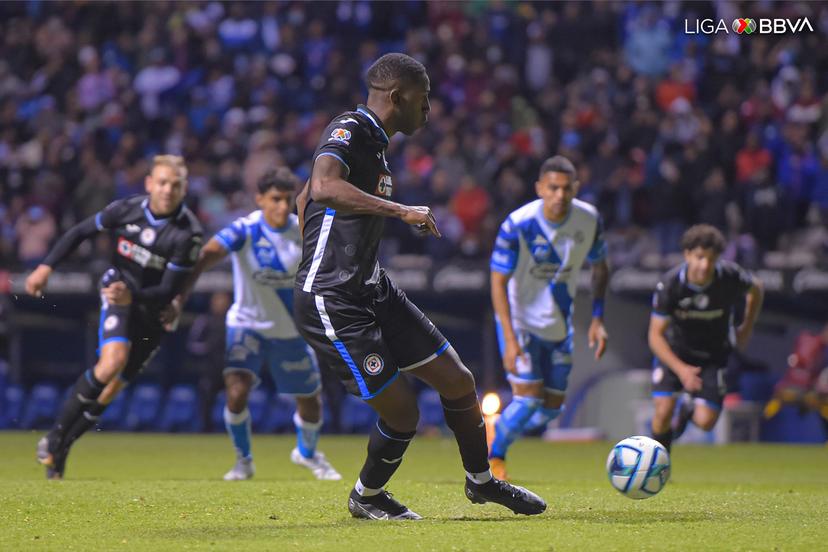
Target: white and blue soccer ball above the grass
[[638, 467]]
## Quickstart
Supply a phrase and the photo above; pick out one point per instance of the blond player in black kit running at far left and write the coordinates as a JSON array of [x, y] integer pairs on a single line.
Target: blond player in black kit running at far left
[[157, 243]]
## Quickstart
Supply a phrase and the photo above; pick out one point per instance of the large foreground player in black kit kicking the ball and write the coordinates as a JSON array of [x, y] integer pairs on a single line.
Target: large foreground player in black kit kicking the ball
[[357, 320]]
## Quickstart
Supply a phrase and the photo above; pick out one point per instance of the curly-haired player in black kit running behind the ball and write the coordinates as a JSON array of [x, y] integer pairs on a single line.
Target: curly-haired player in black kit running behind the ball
[[690, 332]]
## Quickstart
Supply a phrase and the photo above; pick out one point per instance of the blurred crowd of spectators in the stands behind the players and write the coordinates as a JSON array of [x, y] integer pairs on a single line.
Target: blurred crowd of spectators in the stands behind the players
[[667, 128]]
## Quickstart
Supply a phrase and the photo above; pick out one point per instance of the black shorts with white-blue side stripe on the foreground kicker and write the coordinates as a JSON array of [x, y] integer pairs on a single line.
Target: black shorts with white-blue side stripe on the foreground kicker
[[368, 341]]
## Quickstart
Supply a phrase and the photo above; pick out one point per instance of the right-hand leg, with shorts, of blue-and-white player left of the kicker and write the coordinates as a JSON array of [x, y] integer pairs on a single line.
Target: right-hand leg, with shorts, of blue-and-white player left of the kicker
[[294, 368]]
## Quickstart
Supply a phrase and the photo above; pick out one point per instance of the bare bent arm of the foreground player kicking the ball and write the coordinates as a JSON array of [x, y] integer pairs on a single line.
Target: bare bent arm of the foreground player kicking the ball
[[328, 187]]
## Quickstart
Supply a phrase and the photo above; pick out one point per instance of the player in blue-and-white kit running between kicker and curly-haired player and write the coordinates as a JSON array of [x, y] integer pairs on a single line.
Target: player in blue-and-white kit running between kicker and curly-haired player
[[535, 264]]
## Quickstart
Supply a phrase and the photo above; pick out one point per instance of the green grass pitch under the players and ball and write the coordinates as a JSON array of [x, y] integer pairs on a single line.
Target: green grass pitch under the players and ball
[[163, 492]]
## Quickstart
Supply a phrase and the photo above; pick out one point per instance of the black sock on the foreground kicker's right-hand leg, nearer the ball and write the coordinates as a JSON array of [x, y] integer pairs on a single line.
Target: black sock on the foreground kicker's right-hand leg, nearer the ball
[[464, 418]]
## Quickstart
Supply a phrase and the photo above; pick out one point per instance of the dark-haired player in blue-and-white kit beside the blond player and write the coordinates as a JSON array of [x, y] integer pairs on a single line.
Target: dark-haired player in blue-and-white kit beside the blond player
[[265, 247]]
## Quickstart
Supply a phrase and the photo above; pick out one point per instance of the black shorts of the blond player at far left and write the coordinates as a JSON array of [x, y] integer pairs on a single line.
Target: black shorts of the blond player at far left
[[132, 324]]
